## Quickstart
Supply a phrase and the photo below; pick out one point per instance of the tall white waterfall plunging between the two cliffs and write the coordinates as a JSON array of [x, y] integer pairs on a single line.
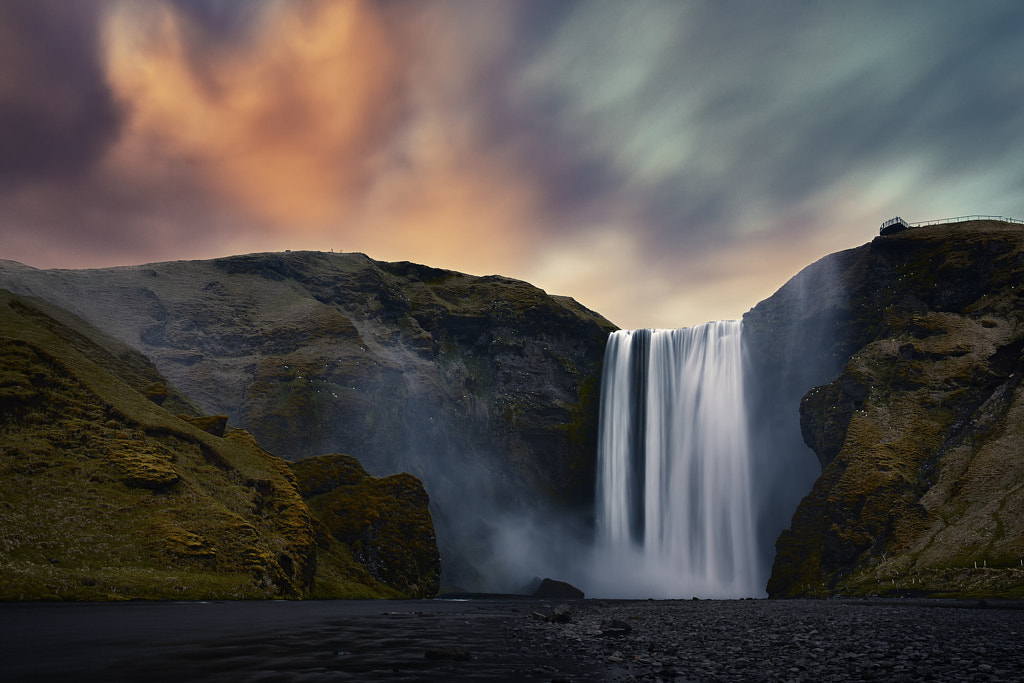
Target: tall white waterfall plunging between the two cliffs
[[674, 510]]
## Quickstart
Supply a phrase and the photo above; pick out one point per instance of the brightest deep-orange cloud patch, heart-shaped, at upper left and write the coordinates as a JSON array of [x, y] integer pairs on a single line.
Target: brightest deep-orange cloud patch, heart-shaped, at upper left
[[283, 125]]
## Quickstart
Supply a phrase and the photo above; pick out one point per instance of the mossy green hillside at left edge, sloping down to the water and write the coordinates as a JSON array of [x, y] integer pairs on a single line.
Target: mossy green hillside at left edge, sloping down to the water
[[114, 487]]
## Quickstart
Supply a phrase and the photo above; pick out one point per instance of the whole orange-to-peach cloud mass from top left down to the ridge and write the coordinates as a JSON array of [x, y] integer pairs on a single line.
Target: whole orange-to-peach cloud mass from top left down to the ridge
[[342, 124]]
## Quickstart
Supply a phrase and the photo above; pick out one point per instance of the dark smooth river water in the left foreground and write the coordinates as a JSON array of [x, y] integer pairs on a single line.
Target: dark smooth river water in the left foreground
[[417, 641]]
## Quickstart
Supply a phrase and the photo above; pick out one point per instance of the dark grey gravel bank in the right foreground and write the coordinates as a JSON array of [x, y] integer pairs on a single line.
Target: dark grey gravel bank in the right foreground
[[777, 641]]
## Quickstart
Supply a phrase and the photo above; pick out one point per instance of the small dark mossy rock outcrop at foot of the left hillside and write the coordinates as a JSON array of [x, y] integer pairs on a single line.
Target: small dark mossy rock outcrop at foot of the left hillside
[[385, 523]]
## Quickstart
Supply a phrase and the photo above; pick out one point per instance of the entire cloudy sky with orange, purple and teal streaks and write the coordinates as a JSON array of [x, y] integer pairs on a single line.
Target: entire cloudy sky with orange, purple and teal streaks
[[665, 163]]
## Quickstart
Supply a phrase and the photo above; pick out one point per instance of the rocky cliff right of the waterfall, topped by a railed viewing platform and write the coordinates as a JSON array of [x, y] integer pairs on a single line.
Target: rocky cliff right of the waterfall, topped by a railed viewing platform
[[919, 430]]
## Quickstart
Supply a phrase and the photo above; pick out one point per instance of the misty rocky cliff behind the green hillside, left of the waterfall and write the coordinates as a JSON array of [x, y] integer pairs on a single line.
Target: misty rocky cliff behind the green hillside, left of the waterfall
[[487, 389]]
